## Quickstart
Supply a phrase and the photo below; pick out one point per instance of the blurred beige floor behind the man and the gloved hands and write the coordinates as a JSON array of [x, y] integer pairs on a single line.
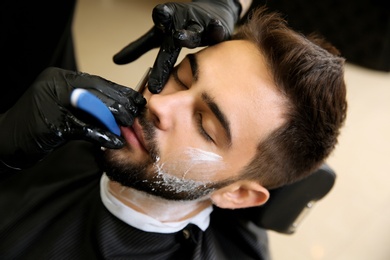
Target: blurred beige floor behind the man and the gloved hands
[[353, 220]]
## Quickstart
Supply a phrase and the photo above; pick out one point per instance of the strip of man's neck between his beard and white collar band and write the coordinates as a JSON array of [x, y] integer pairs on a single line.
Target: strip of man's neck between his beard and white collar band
[[156, 207]]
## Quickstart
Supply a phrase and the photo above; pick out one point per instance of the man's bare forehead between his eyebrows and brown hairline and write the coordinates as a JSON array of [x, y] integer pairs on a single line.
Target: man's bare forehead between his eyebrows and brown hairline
[[236, 75]]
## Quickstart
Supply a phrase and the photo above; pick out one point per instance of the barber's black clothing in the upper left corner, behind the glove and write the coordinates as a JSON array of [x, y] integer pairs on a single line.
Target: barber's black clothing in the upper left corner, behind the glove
[[34, 35]]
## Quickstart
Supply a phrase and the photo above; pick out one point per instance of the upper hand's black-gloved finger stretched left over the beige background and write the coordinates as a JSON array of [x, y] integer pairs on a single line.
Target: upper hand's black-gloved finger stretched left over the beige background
[[150, 40]]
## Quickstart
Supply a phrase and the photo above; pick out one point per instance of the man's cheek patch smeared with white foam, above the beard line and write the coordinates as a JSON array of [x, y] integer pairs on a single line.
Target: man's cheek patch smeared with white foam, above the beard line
[[193, 164]]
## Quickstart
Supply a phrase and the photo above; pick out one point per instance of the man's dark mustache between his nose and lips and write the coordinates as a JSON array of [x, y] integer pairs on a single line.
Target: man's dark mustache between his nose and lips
[[149, 131]]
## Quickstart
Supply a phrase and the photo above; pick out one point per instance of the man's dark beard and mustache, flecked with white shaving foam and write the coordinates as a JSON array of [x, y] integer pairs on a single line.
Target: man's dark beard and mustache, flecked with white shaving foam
[[148, 176]]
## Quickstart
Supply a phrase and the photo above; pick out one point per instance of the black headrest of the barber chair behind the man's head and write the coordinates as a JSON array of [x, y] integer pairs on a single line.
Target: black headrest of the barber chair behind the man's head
[[289, 204]]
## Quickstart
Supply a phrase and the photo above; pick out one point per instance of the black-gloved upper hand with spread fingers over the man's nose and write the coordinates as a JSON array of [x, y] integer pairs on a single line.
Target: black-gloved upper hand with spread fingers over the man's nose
[[178, 25]]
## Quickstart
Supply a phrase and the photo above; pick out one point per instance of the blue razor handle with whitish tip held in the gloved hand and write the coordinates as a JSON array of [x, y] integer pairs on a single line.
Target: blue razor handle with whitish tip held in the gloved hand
[[86, 101]]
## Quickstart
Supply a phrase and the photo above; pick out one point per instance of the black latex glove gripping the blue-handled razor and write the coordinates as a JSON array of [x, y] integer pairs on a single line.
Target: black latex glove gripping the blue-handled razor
[[44, 119]]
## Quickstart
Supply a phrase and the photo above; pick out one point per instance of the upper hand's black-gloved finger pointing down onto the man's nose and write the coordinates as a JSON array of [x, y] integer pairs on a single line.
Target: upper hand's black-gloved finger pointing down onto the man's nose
[[163, 65]]
